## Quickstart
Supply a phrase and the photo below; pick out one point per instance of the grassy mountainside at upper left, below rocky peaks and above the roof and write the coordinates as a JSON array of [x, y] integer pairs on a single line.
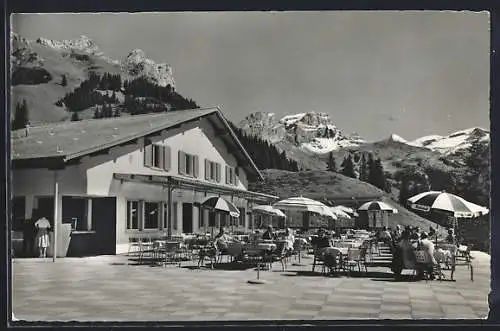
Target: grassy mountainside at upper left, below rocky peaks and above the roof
[[41, 98]]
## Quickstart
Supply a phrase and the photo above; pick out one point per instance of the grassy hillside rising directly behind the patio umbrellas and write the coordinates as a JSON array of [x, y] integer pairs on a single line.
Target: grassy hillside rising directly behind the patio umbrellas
[[318, 184]]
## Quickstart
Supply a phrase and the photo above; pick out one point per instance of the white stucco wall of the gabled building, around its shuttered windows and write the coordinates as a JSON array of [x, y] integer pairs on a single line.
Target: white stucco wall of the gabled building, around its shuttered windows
[[94, 175]]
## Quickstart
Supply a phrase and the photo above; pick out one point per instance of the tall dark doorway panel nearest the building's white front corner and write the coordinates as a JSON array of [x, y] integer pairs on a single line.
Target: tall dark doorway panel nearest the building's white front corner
[[104, 224]]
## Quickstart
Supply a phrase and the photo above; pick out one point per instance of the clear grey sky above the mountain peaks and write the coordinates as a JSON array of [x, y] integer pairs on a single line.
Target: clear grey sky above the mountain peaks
[[412, 73]]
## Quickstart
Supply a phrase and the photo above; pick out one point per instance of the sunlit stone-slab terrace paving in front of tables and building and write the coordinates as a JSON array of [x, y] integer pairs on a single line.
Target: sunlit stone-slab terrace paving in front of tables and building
[[105, 288]]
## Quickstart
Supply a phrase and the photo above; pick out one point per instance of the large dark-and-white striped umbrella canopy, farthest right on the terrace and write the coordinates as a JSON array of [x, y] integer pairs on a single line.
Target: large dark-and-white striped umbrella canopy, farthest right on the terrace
[[442, 201]]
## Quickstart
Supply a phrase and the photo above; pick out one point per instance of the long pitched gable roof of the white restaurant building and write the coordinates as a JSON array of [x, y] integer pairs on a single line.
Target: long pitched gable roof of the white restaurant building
[[70, 140]]
